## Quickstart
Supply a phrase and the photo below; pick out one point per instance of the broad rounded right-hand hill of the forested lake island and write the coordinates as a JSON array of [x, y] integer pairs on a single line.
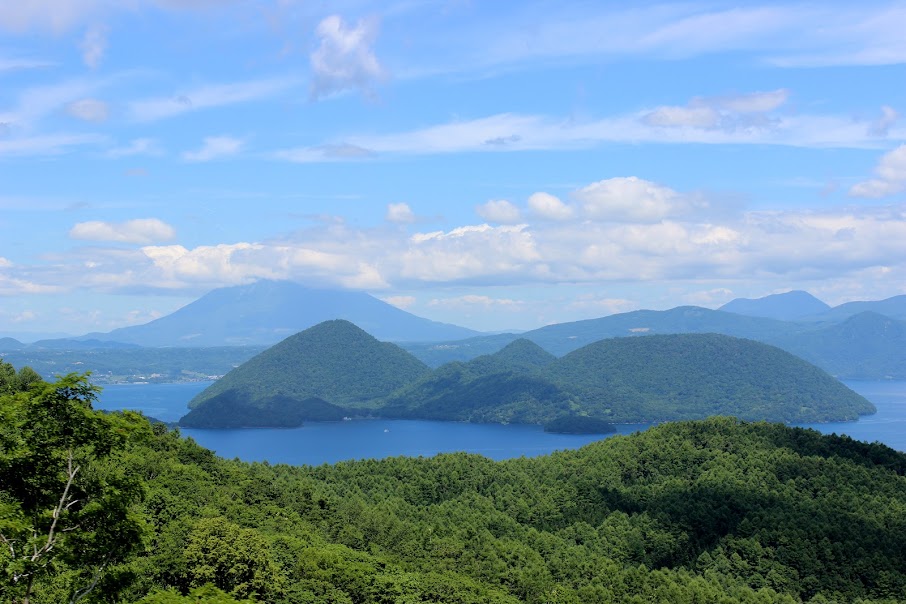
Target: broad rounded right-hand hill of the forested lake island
[[667, 377]]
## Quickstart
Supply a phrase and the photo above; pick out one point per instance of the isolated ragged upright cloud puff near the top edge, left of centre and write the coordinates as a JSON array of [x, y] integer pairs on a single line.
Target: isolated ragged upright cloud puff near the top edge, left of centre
[[344, 59]]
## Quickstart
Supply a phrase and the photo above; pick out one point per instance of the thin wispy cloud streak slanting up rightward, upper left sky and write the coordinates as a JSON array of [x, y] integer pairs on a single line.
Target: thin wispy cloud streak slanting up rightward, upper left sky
[[207, 97]]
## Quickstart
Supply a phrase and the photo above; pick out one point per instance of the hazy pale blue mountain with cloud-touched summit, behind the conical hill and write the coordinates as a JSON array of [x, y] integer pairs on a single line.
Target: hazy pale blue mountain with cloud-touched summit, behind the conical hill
[[266, 312]]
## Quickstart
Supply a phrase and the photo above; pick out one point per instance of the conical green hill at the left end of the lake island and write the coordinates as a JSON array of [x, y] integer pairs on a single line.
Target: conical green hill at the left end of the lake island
[[318, 373]]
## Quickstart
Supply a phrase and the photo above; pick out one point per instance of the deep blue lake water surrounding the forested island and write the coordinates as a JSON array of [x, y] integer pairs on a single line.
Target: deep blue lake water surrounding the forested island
[[329, 442]]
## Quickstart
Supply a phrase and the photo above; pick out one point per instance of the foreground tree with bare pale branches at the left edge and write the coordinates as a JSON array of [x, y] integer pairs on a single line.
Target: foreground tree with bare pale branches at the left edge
[[66, 503]]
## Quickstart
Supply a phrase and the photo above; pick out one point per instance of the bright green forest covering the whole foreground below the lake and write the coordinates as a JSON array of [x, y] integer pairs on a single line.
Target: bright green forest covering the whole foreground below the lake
[[112, 508]]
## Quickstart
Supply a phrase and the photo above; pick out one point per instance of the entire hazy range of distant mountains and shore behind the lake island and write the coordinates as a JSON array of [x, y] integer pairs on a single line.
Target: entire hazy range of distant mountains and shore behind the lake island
[[859, 340]]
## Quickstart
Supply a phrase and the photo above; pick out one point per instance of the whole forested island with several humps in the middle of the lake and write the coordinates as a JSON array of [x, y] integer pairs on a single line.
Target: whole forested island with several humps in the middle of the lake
[[335, 369]]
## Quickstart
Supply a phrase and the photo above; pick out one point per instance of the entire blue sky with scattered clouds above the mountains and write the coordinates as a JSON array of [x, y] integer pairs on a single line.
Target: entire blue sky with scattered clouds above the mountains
[[493, 164]]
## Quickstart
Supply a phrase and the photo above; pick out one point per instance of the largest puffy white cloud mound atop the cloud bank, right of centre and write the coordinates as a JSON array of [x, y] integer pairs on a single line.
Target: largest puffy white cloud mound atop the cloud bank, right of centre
[[629, 199]]
